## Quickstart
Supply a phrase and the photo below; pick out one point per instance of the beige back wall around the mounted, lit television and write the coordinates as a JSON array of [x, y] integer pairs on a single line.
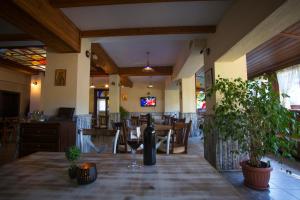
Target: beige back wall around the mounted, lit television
[[140, 90]]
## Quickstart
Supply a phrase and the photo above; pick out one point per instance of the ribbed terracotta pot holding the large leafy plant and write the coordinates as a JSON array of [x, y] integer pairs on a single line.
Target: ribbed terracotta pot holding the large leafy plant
[[256, 178]]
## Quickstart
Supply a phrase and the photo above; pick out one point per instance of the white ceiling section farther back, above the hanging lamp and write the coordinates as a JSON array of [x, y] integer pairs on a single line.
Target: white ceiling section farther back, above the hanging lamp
[[131, 51]]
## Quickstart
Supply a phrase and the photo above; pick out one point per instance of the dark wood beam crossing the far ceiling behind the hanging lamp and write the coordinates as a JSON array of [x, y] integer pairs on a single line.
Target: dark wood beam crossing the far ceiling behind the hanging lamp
[[138, 71]]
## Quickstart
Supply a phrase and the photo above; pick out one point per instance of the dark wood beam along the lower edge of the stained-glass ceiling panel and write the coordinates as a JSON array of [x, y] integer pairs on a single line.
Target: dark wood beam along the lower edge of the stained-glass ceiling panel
[[8, 64]]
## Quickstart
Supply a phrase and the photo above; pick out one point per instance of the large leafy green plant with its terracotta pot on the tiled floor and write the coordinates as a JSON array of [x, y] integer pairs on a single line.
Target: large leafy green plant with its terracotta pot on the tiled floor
[[250, 113]]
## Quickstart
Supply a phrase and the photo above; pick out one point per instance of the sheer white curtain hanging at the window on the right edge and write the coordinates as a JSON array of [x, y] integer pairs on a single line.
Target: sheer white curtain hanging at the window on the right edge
[[289, 84]]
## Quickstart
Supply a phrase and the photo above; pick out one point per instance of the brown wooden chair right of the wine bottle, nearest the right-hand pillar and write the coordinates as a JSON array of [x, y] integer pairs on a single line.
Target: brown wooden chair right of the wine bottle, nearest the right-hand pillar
[[181, 132]]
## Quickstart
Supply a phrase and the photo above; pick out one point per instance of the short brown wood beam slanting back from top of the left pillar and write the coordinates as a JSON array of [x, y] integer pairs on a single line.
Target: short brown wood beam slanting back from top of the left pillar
[[103, 60]]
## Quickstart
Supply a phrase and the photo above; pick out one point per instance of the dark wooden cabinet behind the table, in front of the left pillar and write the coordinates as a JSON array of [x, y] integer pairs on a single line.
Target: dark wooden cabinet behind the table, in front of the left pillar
[[48, 136]]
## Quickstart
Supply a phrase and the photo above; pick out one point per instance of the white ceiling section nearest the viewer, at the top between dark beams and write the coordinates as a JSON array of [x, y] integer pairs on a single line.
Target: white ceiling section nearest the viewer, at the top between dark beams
[[189, 13]]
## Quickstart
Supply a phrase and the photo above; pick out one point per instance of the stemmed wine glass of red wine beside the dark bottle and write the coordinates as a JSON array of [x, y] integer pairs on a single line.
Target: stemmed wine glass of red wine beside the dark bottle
[[134, 140]]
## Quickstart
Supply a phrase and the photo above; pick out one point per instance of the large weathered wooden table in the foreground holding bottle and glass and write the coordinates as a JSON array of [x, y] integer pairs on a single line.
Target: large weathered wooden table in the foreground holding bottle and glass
[[44, 175]]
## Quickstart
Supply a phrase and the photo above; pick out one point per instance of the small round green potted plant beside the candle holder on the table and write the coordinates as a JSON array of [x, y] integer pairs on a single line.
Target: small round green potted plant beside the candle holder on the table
[[72, 155]]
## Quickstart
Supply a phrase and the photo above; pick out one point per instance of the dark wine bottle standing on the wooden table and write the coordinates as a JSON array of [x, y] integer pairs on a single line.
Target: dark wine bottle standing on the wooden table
[[149, 143]]
